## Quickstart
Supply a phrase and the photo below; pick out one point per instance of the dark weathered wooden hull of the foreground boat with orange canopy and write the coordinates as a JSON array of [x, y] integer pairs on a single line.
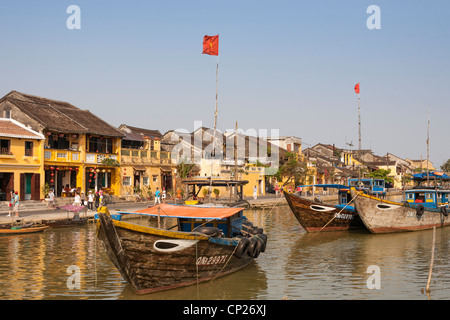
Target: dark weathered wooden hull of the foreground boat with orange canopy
[[145, 260]]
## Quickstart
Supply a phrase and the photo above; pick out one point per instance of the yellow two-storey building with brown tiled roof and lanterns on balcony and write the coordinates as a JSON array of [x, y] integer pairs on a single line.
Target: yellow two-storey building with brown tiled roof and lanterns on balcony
[[81, 152]]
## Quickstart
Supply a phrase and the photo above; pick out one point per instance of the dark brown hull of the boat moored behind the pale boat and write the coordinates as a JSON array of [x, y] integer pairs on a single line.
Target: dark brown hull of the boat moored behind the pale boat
[[315, 216]]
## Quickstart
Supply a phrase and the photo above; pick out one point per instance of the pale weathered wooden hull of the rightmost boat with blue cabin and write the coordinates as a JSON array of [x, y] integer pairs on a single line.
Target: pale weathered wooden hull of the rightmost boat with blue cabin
[[382, 216]]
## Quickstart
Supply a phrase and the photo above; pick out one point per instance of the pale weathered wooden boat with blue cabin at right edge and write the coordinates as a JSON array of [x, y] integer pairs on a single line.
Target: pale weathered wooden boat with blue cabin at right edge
[[424, 208]]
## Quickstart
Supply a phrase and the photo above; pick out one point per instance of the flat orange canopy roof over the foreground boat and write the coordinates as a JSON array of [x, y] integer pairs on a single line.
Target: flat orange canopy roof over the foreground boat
[[182, 211]]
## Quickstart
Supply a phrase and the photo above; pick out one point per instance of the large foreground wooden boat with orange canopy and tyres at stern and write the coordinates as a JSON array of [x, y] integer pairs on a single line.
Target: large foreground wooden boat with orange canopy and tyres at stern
[[206, 243]]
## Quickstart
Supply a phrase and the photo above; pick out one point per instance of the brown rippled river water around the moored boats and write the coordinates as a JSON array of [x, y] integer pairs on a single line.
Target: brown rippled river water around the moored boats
[[296, 265]]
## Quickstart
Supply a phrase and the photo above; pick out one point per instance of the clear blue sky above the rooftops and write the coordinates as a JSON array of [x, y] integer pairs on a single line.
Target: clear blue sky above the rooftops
[[288, 65]]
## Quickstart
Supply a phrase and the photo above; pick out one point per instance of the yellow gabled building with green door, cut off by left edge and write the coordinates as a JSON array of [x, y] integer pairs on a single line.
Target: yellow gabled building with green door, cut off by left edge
[[21, 160]]
